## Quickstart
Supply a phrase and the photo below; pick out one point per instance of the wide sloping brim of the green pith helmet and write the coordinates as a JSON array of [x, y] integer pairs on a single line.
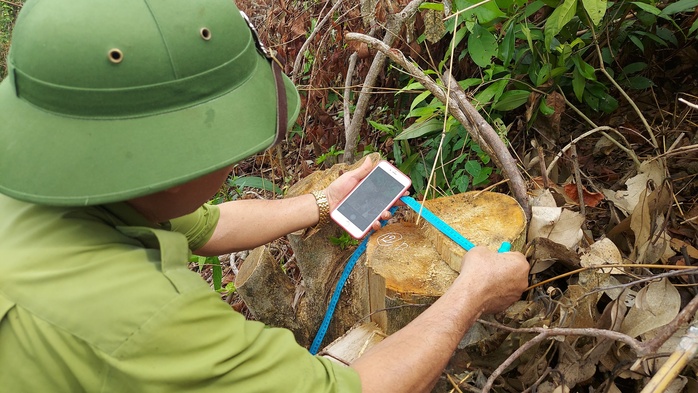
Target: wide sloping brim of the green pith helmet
[[43, 154]]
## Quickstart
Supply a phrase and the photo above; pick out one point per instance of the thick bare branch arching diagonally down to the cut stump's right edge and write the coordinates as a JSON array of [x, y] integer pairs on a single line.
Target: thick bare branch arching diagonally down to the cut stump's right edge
[[461, 109]]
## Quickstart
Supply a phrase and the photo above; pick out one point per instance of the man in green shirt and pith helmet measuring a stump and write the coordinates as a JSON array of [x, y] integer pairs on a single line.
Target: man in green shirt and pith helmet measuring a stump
[[118, 121]]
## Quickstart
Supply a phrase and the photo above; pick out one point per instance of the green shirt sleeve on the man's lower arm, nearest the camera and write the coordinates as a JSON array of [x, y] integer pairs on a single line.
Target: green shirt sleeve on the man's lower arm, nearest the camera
[[197, 343]]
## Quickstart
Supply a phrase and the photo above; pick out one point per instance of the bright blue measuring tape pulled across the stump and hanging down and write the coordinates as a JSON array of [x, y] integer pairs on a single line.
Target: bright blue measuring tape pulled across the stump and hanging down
[[427, 215]]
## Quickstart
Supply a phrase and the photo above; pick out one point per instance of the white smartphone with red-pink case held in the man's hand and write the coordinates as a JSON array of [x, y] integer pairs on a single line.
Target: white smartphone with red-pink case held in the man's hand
[[375, 193]]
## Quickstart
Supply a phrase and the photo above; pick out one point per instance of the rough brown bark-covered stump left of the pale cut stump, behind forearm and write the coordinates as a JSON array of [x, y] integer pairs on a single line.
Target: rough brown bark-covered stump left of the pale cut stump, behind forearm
[[320, 263]]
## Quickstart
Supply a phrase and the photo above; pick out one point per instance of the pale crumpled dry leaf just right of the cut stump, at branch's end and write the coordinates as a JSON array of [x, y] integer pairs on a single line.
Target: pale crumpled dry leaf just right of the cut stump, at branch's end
[[557, 224]]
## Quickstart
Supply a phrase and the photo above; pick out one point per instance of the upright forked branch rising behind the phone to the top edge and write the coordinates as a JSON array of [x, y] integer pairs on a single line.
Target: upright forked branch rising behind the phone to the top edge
[[393, 26]]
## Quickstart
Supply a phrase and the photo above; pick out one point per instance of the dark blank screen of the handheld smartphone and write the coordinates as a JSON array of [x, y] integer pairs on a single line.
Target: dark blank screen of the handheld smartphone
[[368, 200]]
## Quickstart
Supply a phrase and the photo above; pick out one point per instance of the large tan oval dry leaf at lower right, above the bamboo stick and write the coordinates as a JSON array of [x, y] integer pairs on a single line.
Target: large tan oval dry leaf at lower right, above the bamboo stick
[[655, 305]]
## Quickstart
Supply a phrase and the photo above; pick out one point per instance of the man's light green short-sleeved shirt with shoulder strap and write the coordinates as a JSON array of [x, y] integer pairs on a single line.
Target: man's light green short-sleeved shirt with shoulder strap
[[95, 299]]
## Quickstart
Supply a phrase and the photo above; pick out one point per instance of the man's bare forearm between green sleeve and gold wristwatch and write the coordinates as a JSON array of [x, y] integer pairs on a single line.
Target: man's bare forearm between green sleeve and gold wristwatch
[[246, 224]]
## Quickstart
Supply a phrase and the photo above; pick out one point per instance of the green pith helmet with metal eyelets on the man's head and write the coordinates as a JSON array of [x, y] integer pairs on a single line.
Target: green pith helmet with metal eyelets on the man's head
[[108, 100]]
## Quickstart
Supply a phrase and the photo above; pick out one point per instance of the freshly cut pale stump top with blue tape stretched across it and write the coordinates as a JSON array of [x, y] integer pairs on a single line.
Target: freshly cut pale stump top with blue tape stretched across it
[[411, 264]]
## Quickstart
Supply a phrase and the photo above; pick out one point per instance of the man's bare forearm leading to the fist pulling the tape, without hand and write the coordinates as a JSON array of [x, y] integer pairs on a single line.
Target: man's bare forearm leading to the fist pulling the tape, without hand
[[412, 359]]
